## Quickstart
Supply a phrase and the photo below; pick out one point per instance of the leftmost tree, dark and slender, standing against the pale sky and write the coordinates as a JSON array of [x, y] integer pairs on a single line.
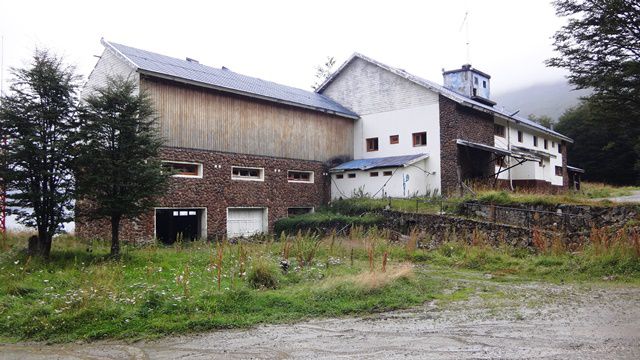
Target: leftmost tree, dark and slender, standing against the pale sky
[[37, 121]]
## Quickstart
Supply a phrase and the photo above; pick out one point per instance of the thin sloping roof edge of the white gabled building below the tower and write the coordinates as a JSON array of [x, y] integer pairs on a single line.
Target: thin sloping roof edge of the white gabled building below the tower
[[461, 99]]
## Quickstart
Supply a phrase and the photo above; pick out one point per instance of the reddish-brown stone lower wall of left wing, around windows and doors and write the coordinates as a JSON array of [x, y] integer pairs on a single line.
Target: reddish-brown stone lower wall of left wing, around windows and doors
[[216, 191]]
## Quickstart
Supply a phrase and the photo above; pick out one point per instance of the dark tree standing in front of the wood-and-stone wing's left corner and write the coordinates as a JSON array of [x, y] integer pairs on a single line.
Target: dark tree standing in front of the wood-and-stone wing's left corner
[[118, 168]]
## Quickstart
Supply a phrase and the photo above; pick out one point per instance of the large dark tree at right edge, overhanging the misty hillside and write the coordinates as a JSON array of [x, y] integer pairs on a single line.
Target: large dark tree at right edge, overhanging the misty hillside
[[600, 46]]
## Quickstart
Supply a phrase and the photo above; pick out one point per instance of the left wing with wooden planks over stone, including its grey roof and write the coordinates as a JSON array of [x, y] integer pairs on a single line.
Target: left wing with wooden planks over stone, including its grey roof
[[247, 151]]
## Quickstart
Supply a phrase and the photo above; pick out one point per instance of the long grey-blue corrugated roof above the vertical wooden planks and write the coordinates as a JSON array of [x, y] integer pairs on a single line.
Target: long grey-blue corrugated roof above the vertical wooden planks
[[226, 80]]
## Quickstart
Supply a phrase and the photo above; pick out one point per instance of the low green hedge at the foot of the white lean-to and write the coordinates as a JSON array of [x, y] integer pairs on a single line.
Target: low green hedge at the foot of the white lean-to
[[323, 222]]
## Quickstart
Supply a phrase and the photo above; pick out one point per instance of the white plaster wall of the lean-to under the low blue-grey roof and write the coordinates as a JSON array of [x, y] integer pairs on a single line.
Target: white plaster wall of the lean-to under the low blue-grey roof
[[405, 182]]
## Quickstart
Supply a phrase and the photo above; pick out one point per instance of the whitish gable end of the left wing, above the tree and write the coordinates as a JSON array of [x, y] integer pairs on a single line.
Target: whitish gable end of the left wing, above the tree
[[109, 65]]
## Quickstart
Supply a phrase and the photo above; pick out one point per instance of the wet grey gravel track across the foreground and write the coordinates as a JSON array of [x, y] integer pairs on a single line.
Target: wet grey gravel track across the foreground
[[500, 321]]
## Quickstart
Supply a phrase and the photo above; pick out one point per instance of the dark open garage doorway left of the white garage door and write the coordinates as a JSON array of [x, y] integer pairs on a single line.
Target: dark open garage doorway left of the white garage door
[[174, 224]]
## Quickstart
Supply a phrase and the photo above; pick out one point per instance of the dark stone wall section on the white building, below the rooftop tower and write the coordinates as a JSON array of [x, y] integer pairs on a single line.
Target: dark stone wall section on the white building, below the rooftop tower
[[459, 122]]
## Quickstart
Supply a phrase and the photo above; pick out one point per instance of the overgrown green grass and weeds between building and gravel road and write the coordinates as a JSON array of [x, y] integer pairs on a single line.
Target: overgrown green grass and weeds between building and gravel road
[[83, 294]]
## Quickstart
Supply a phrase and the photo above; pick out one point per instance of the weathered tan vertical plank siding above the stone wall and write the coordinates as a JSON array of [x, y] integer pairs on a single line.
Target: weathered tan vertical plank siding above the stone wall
[[199, 118]]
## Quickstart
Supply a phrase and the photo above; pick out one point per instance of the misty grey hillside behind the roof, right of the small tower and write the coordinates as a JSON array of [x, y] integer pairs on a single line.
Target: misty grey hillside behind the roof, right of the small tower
[[551, 99]]
